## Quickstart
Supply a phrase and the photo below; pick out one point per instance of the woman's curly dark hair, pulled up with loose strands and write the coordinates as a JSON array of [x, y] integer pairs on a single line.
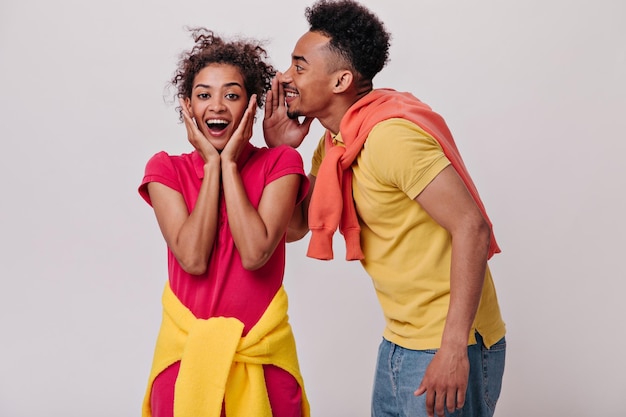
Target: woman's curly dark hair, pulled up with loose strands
[[247, 55]]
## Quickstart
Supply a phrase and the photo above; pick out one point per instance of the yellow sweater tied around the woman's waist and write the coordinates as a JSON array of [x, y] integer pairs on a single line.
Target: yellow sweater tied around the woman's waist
[[218, 365]]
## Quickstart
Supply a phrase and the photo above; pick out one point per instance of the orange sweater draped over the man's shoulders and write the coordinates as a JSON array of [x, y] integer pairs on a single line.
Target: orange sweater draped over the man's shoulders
[[332, 205]]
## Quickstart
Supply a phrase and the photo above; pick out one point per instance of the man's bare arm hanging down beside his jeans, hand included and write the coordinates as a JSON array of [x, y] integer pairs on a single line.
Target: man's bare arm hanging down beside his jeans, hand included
[[449, 203]]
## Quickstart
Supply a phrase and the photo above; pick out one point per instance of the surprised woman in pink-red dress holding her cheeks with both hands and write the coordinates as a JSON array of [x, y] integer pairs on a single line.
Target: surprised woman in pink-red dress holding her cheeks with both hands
[[225, 346]]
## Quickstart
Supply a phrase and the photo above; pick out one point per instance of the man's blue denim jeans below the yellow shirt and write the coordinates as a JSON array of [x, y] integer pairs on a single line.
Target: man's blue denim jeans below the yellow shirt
[[399, 372]]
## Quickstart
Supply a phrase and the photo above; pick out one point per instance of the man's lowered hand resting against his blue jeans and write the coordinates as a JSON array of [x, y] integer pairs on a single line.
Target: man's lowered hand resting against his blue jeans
[[445, 381]]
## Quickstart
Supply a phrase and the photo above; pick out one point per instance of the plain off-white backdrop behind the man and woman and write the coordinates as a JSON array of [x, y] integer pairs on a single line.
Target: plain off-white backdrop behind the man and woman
[[533, 91]]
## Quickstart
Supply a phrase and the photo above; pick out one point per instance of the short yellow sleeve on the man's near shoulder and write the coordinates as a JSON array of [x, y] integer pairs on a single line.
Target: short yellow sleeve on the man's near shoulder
[[404, 155]]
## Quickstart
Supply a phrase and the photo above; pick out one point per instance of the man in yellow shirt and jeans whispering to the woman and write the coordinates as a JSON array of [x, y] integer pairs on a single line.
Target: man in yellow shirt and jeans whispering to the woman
[[419, 229]]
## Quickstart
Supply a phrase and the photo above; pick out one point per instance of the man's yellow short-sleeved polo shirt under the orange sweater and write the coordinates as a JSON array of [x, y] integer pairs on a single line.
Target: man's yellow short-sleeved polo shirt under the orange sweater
[[407, 253]]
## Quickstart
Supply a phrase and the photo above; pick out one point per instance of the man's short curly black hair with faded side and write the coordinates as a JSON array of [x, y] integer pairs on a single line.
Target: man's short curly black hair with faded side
[[357, 34]]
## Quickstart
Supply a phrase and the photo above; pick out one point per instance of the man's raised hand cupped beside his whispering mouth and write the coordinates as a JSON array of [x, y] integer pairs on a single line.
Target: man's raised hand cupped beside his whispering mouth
[[278, 128]]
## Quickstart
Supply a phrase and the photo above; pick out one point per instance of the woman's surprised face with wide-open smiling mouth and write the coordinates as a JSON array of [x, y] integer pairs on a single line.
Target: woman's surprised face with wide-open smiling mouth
[[218, 101]]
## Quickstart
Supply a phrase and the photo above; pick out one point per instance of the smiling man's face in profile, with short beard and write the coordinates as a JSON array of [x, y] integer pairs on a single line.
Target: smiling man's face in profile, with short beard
[[307, 82]]
